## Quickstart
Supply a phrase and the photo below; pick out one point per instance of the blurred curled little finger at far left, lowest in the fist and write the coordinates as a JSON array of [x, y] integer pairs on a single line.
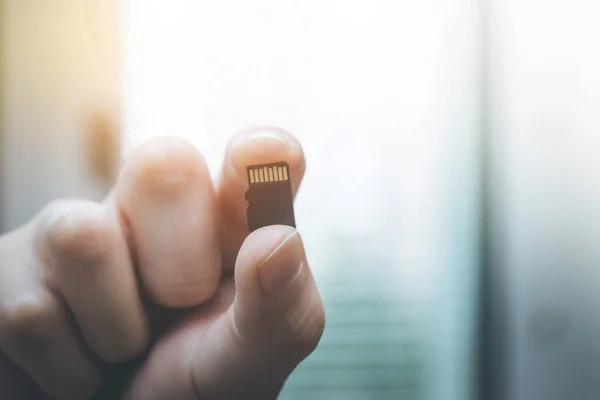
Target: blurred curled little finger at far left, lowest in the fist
[[35, 330]]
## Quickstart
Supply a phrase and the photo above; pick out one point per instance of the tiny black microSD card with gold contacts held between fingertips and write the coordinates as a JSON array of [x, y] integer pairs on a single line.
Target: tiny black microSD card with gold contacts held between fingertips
[[270, 196]]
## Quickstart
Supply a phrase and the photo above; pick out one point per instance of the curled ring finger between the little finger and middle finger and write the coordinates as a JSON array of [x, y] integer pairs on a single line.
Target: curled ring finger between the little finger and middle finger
[[90, 260]]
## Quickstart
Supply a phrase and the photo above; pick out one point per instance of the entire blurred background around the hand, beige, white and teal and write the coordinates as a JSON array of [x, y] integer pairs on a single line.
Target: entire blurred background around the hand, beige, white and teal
[[451, 207]]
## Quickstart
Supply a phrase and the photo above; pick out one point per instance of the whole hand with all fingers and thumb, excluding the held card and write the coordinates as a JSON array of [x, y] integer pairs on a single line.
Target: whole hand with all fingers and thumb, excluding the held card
[[159, 292]]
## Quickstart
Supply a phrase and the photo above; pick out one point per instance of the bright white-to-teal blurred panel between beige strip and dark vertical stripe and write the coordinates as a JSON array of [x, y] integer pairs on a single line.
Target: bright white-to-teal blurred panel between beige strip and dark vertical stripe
[[383, 96]]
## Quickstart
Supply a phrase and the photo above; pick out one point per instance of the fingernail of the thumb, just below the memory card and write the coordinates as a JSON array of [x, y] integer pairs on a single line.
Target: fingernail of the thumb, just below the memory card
[[282, 266]]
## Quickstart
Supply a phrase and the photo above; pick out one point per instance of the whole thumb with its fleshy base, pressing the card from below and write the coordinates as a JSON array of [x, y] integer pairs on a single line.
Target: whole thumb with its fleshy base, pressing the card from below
[[249, 350]]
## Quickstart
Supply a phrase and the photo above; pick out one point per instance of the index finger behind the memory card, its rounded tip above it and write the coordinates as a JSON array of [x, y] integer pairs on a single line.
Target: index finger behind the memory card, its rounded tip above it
[[251, 147]]
